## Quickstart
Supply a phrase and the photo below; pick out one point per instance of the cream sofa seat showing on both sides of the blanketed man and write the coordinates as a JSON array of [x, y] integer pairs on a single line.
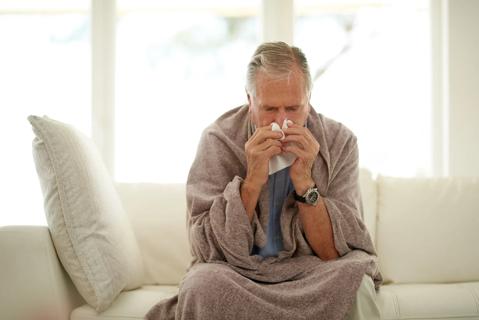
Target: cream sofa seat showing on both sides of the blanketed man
[[396, 301]]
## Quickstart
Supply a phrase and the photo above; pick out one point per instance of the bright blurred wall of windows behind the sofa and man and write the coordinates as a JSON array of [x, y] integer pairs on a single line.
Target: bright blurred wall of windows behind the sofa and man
[[143, 78]]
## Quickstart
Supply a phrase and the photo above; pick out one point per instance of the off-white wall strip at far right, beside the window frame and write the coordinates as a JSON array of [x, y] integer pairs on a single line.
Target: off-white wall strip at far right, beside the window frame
[[463, 78]]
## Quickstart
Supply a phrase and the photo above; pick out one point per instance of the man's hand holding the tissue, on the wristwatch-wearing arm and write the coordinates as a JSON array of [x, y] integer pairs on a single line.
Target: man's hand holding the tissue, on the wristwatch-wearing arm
[[300, 141]]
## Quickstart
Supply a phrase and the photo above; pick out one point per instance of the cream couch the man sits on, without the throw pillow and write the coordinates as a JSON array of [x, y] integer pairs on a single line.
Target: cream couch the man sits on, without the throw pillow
[[426, 232]]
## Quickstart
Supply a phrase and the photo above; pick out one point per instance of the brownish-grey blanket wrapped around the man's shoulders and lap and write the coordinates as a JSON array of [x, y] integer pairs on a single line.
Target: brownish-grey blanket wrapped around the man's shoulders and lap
[[294, 285]]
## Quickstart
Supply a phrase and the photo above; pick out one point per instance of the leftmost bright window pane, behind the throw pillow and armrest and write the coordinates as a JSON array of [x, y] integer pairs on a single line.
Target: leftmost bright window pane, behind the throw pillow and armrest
[[45, 69]]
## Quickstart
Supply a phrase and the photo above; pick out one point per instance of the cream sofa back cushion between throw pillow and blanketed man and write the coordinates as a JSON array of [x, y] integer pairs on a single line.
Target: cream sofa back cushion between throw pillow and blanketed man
[[158, 216]]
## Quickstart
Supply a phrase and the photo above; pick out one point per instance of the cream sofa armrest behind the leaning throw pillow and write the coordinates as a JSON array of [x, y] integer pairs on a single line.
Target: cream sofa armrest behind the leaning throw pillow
[[34, 285]]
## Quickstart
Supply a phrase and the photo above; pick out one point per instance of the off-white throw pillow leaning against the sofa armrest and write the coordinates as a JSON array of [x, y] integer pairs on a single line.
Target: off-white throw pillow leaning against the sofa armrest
[[90, 230]]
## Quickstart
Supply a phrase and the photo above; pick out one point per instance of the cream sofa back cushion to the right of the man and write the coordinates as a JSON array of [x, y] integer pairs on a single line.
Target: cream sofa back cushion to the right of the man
[[428, 229]]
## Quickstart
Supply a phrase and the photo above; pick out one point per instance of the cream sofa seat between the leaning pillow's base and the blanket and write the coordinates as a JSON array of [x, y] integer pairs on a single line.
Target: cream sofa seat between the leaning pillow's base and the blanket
[[128, 305]]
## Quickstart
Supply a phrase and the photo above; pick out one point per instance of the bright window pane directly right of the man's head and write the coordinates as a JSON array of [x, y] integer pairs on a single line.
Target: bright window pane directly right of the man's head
[[370, 61]]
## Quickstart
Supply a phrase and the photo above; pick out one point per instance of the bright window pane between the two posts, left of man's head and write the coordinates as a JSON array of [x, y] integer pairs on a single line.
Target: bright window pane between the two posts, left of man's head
[[180, 65]]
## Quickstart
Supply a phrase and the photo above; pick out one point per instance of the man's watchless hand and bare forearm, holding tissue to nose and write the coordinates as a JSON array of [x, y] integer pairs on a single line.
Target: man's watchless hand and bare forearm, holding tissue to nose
[[262, 145]]
